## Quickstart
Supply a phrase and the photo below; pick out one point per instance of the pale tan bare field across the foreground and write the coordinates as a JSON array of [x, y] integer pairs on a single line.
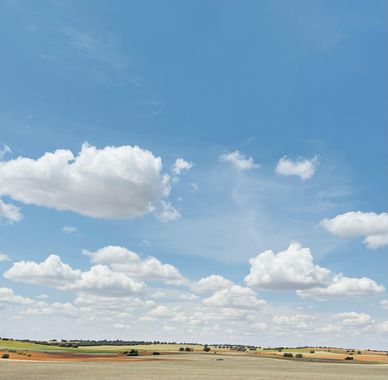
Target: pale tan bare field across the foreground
[[191, 366]]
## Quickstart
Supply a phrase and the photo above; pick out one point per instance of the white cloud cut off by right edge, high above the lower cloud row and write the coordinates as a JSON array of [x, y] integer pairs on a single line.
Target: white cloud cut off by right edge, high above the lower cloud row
[[372, 226]]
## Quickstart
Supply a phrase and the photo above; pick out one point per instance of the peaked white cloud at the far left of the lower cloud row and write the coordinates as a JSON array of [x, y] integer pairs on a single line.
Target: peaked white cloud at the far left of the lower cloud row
[[51, 272]]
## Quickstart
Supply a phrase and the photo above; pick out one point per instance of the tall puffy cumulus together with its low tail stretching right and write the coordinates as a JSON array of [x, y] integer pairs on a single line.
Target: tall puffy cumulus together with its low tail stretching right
[[295, 269]]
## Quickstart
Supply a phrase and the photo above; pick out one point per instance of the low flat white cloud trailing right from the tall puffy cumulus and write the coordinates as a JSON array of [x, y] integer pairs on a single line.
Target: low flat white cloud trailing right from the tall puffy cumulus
[[341, 286]]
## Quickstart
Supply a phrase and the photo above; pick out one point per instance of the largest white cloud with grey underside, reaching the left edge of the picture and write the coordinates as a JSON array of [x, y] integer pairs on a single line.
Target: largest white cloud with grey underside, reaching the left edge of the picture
[[113, 182]]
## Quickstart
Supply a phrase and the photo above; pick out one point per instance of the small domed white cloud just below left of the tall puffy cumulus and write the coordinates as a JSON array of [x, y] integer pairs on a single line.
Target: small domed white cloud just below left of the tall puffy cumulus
[[234, 297]]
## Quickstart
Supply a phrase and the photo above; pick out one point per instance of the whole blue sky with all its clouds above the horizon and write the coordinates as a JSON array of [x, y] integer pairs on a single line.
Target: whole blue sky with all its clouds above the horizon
[[194, 171]]
